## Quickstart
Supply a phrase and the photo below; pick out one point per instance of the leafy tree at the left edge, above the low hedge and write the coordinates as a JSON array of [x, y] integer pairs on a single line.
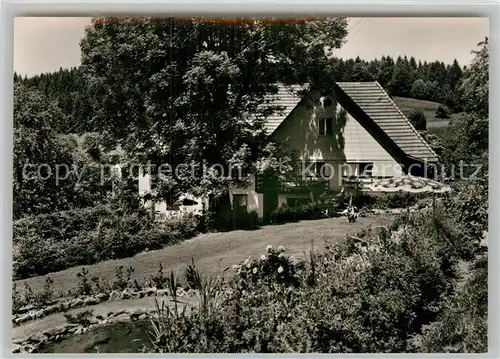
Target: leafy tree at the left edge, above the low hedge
[[50, 172]]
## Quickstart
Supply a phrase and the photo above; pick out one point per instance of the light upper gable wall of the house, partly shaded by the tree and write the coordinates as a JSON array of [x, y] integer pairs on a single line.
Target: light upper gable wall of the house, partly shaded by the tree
[[349, 143]]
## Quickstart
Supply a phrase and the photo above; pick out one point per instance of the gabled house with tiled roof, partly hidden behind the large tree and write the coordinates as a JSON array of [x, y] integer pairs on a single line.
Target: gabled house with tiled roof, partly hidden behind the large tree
[[355, 131]]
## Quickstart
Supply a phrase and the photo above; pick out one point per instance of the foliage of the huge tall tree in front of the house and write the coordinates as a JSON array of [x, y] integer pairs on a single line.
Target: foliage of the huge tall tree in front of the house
[[181, 91]]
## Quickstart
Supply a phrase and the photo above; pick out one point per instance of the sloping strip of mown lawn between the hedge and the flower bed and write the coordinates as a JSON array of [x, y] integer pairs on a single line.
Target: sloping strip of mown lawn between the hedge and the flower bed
[[218, 249]]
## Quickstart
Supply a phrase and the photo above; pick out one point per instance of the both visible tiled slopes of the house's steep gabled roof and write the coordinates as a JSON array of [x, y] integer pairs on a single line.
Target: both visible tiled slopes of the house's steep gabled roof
[[375, 103]]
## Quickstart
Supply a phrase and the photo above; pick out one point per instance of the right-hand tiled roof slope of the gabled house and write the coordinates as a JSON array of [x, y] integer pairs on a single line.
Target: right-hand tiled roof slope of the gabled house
[[376, 103]]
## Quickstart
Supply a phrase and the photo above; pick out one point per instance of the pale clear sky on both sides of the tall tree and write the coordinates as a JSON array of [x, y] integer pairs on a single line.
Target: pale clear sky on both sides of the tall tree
[[45, 44]]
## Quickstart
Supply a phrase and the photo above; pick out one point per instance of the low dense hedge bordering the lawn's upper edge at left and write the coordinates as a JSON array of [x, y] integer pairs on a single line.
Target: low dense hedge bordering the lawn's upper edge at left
[[54, 242]]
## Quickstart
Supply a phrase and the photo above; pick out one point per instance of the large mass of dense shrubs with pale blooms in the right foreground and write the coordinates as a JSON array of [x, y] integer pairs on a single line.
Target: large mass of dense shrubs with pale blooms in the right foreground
[[372, 293]]
